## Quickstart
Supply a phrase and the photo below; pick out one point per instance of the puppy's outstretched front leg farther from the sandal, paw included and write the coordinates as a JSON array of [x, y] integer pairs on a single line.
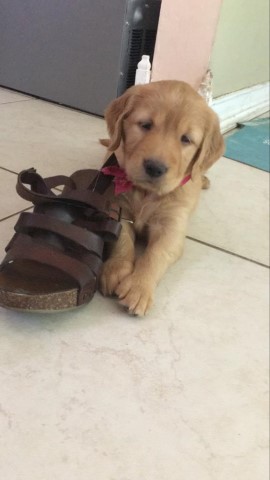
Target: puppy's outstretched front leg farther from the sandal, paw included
[[165, 246]]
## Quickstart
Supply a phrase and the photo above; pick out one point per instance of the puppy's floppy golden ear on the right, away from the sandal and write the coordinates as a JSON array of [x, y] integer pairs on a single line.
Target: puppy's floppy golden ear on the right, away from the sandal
[[211, 149]]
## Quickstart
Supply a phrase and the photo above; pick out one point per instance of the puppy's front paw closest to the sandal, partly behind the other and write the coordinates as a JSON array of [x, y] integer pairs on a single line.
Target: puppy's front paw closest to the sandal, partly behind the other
[[114, 271]]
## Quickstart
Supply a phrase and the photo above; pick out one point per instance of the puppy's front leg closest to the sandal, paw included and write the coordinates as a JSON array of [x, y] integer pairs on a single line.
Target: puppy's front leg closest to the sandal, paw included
[[121, 261]]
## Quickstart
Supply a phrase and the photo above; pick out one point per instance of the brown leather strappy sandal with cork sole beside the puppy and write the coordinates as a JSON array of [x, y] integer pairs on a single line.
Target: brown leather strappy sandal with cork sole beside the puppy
[[53, 261]]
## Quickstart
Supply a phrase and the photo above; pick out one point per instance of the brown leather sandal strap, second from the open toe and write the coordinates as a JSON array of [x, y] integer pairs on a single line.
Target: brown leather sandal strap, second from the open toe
[[80, 236]]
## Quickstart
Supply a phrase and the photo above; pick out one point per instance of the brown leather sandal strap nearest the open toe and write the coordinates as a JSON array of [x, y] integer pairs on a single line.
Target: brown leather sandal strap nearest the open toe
[[84, 273]]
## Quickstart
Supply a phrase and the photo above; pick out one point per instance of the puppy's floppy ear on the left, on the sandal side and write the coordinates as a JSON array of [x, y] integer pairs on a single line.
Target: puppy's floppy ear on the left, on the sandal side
[[115, 114]]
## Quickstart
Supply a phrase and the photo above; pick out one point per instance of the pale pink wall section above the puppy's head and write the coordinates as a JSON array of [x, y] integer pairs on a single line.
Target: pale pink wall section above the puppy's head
[[185, 38]]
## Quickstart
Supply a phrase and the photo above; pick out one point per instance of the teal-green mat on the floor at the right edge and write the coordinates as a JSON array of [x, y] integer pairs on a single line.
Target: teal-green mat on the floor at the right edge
[[250, 144]]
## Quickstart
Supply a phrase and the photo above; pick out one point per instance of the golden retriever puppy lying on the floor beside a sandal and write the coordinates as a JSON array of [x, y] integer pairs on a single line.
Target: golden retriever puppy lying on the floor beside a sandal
[[165, 137]]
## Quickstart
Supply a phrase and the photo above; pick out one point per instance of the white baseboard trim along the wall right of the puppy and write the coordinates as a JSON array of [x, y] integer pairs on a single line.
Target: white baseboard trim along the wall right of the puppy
[[242, 105]]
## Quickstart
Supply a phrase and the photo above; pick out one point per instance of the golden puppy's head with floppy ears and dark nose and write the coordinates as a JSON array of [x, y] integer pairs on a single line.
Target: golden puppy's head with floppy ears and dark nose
[[162, 132]]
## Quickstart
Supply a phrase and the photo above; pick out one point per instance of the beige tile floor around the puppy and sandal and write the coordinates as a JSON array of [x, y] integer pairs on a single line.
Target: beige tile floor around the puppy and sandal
[[181, 394]]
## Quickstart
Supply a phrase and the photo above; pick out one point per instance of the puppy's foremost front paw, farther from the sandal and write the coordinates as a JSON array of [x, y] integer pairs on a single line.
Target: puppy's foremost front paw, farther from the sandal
[[135, 295]]
